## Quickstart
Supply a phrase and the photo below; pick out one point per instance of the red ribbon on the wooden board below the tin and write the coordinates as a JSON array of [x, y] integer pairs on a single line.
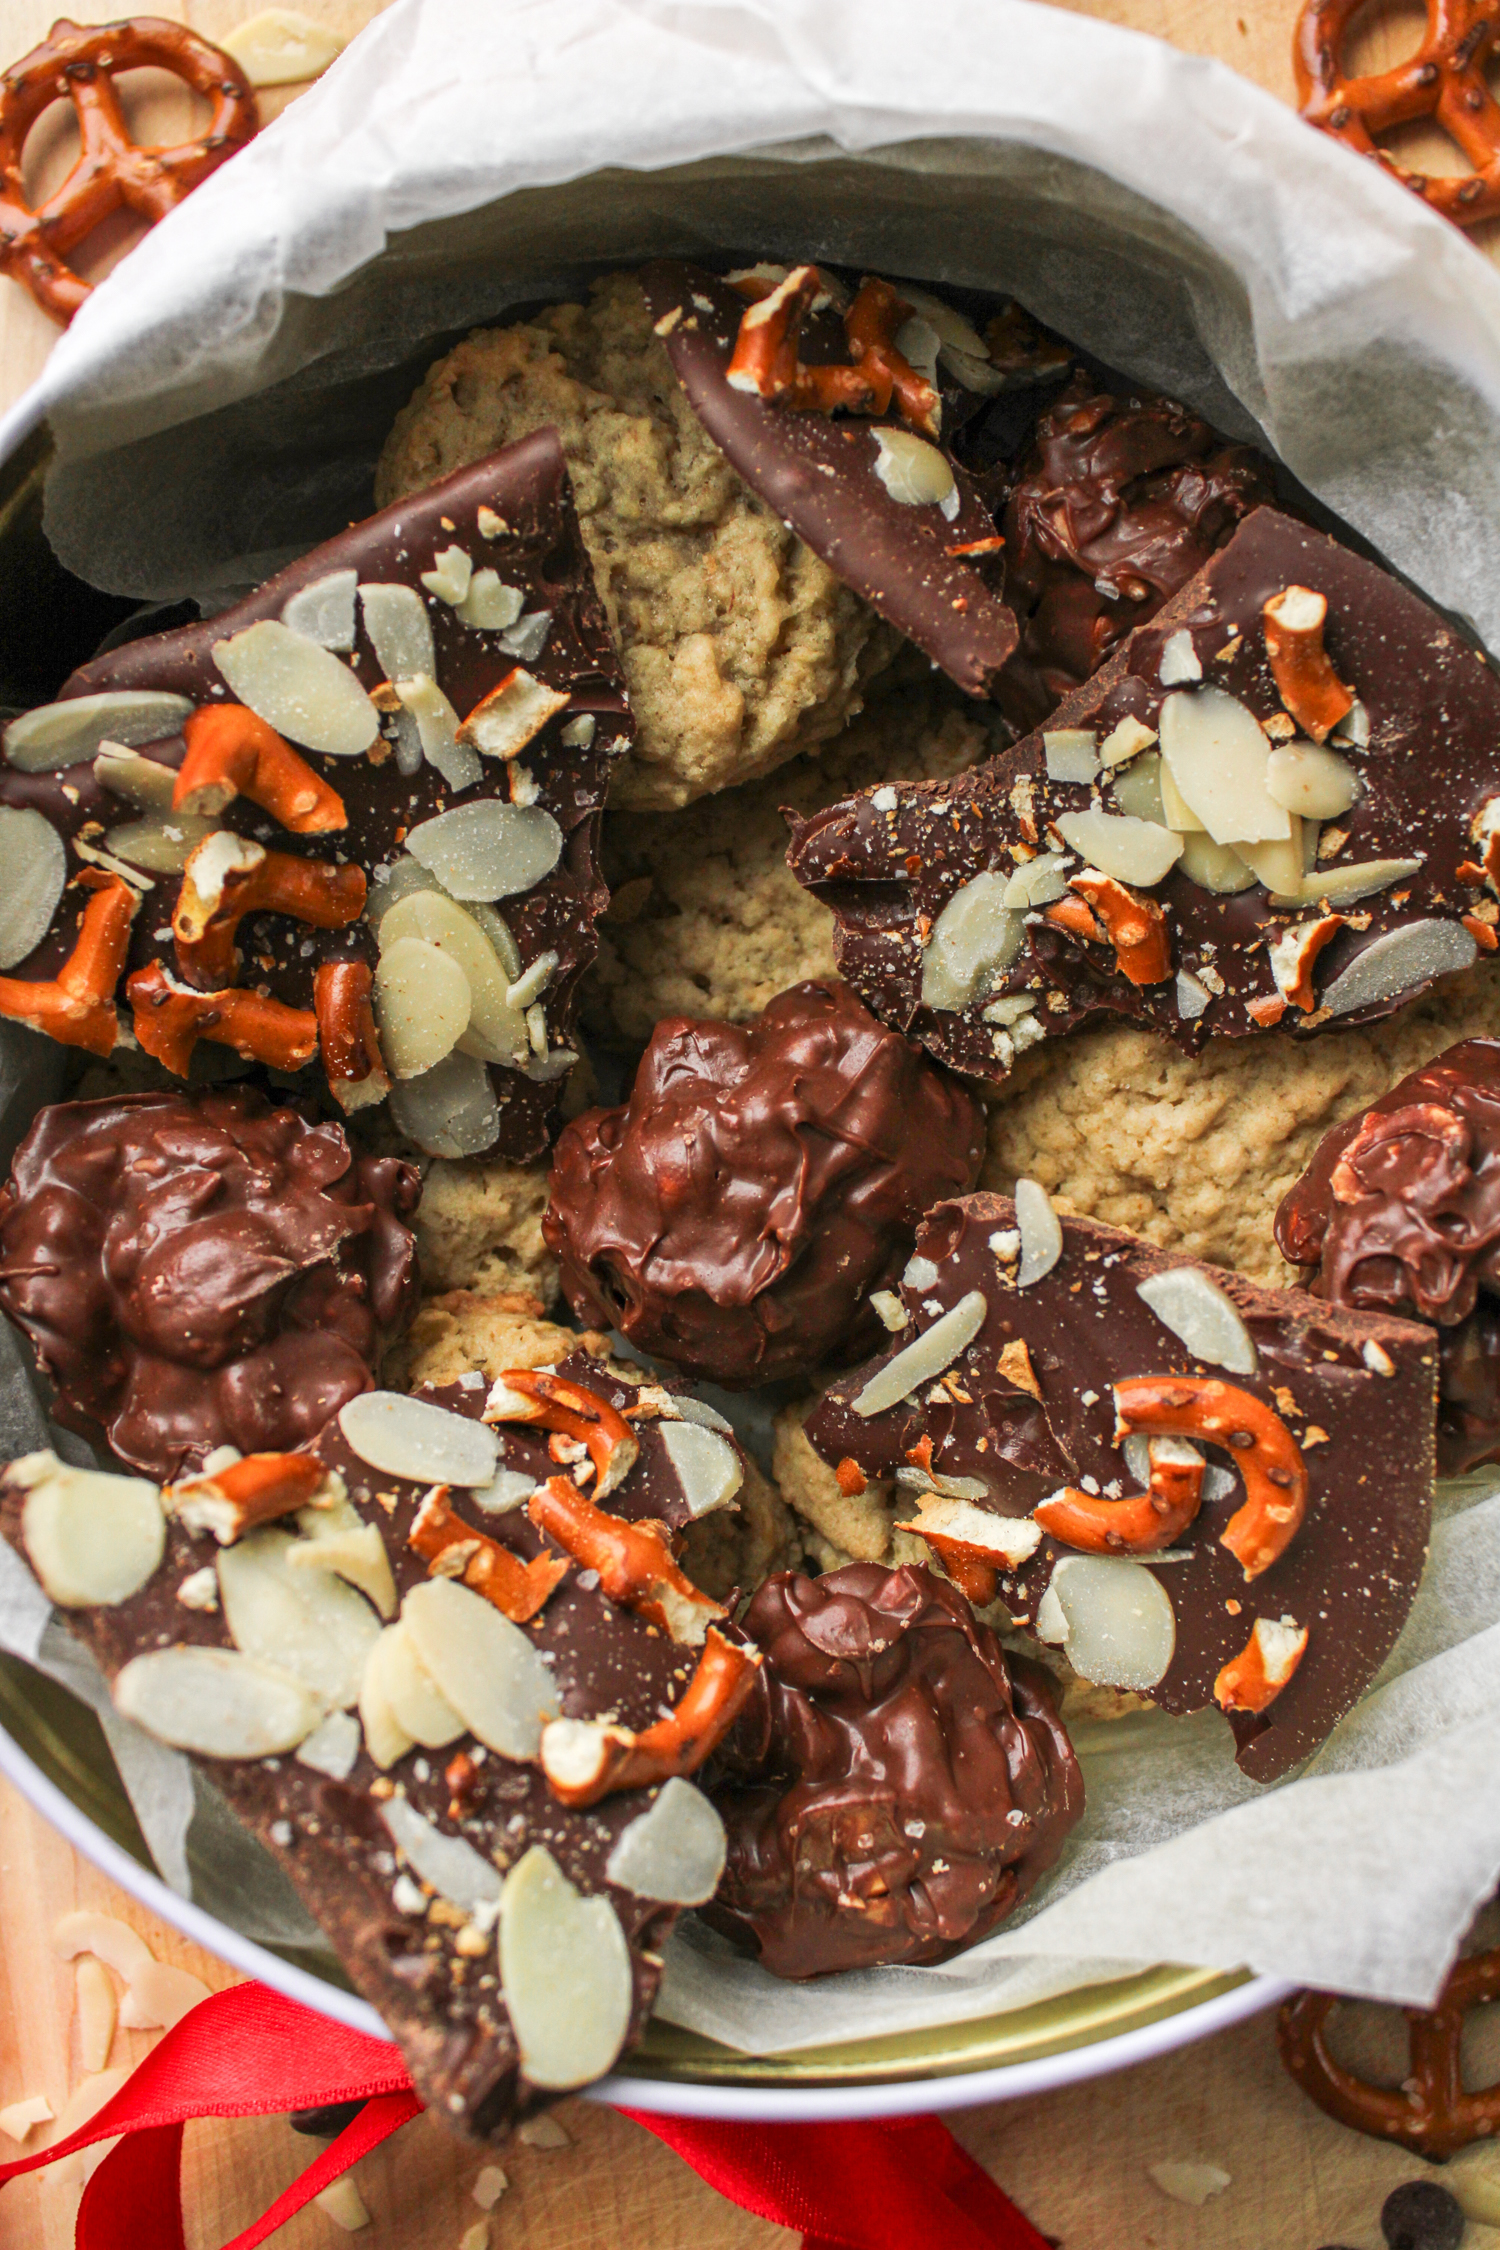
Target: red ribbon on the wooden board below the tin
[[887, 2186]]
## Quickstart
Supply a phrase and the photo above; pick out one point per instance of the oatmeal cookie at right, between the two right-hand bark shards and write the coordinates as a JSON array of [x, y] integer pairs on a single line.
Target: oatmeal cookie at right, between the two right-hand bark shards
[[1195, 1153]]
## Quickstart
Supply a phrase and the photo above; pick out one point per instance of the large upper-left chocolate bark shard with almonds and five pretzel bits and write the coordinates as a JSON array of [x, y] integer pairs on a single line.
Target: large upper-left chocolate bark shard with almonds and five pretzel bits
[[352, 820]]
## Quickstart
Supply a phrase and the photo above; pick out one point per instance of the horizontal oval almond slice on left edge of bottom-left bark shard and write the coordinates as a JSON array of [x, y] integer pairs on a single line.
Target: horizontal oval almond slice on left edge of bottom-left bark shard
[[217, 1702]]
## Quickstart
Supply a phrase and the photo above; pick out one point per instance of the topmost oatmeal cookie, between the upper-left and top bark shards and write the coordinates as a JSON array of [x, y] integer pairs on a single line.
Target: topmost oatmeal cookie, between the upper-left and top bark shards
[[739, 647]]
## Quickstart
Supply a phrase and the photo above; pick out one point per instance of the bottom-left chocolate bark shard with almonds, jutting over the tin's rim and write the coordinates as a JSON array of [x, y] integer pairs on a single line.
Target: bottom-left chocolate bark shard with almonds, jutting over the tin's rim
[[424, 1668]]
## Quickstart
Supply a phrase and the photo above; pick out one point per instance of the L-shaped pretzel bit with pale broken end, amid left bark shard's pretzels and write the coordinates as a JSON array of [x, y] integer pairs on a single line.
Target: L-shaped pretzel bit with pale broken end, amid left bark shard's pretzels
[[228, 879]]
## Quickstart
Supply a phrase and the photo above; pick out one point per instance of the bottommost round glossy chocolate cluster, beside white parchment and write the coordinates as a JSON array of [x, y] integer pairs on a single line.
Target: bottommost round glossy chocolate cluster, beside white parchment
[[898, 1781]]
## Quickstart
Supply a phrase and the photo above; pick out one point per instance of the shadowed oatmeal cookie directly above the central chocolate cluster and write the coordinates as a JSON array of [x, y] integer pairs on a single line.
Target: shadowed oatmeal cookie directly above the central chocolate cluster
[[707, 919]]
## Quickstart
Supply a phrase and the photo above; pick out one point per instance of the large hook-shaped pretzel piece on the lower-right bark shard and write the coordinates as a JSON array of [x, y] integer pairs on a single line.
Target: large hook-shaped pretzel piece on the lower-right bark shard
[[1260, 1446]]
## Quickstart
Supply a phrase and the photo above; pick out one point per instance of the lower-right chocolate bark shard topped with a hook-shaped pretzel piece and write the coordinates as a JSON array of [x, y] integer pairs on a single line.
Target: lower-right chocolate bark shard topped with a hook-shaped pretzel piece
[[1198, 1488]]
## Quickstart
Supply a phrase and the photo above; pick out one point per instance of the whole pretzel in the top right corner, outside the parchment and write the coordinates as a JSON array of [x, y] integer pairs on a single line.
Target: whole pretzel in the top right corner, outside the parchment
[[1443, 80]]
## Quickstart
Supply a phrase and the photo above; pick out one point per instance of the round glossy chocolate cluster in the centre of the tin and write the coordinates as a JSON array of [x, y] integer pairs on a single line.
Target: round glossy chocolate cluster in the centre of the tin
[[737, 1214]]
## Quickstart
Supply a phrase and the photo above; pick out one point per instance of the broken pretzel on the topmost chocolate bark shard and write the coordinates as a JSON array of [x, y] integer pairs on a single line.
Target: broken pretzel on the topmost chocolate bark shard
[[766, 357]]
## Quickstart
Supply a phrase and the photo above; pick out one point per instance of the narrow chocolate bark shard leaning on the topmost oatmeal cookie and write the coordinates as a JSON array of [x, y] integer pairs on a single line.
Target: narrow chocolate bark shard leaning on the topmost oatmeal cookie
[[840, 435]]
